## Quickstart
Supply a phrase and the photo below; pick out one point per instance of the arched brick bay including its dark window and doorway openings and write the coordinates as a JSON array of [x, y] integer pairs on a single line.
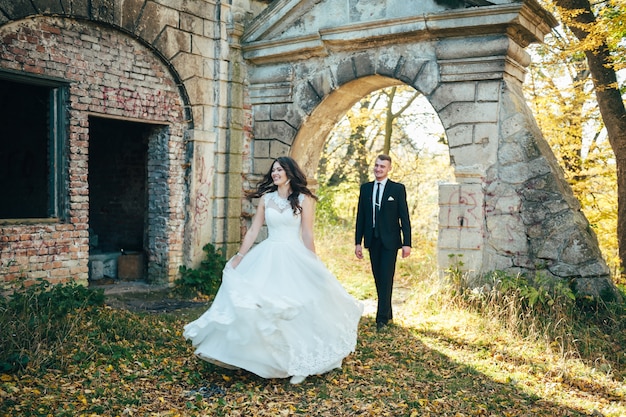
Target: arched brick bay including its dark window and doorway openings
[[111, 126]]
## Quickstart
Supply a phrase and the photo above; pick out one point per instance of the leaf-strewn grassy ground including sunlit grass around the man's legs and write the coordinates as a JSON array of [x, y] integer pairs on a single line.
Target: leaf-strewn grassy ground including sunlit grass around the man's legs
[[441, 358]]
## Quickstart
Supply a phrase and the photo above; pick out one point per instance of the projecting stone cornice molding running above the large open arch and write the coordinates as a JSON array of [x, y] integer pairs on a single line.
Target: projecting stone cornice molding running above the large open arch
[[523, 22]]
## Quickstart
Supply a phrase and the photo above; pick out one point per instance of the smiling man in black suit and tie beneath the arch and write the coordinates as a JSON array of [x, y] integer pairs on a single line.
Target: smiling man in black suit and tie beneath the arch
[[382, 221]]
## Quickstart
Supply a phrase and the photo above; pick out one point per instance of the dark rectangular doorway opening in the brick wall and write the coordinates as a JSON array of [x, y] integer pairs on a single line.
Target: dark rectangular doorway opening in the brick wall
[[118, 166]]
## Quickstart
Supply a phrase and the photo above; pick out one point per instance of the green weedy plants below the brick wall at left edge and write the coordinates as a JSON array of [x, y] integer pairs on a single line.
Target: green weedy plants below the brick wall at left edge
[[36, 319]]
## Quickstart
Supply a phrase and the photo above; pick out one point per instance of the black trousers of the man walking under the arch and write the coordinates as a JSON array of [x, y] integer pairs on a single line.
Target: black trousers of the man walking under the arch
[[383, 263]]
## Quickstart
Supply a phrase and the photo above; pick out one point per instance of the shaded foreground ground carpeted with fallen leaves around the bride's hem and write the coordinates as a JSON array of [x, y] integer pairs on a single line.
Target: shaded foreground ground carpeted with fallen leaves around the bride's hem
[[122, 363]]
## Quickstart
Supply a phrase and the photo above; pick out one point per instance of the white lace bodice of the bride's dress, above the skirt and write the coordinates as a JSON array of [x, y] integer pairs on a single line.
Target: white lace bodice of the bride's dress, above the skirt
[[282, 223]]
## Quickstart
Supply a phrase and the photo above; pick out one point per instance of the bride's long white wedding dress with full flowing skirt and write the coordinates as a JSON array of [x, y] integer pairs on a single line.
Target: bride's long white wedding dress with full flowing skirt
[[281, 312]]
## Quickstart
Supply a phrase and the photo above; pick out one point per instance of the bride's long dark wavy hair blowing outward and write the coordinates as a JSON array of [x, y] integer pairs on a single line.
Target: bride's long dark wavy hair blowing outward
[[297, 180]]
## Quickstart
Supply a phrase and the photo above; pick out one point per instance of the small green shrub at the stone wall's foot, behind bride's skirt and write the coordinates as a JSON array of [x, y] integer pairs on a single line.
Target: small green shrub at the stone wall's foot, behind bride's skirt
[[206, 279]]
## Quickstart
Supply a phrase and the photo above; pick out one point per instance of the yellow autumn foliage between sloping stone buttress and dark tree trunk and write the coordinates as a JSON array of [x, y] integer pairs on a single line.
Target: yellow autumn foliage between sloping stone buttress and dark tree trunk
[[562, 96]]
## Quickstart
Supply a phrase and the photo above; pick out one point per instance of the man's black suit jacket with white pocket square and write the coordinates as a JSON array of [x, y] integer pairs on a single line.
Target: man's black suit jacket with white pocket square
[[393, 218]]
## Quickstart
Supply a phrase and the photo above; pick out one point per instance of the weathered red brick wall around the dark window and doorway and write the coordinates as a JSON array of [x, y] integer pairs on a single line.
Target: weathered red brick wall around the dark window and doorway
[[110, 75]]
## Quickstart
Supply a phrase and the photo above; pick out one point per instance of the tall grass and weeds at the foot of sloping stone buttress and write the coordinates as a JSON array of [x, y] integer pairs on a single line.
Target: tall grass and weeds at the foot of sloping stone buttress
[[542, 309]]
